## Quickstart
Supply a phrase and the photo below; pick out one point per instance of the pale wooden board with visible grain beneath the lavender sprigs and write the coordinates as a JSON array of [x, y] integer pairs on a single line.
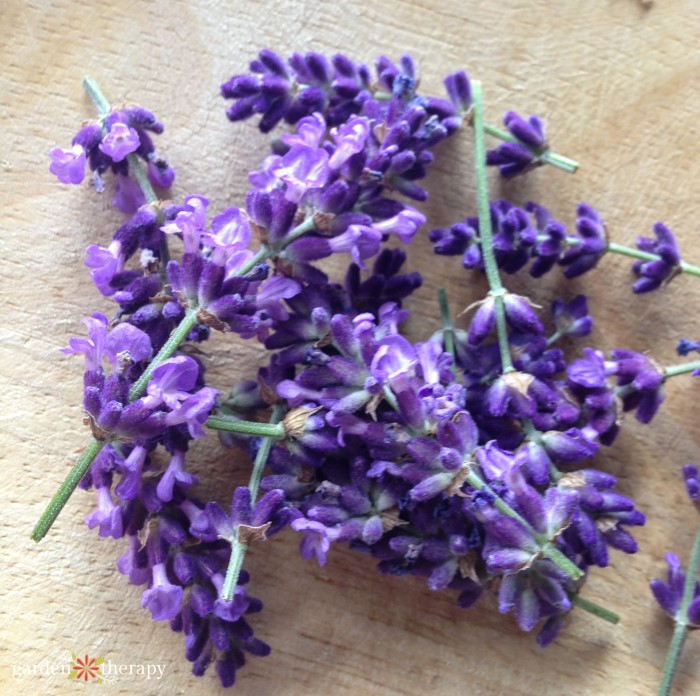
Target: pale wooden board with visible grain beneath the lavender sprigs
[[616, 80]]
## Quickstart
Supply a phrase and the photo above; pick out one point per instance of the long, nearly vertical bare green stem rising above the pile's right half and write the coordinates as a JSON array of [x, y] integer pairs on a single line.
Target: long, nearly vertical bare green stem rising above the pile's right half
[[485, 232]]
